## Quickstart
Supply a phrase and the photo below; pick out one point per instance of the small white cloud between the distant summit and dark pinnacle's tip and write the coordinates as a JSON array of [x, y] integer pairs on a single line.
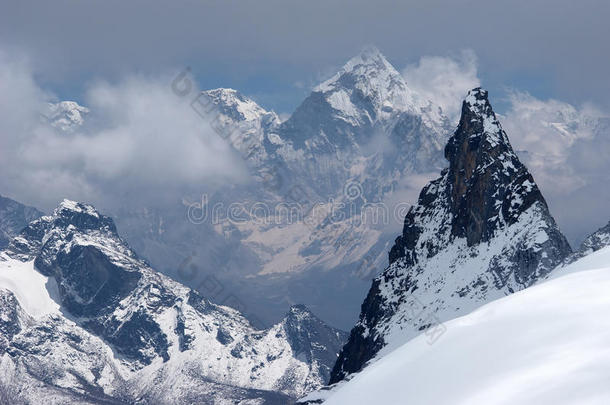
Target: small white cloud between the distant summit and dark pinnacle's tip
[[444, 80]]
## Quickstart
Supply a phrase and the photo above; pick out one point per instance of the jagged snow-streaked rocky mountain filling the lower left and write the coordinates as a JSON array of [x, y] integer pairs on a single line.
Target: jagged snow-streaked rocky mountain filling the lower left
[[86, 319]]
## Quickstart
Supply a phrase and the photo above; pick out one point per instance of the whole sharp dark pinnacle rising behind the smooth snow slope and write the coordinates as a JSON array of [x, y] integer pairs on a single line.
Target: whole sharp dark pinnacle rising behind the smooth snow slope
[[479, 232]]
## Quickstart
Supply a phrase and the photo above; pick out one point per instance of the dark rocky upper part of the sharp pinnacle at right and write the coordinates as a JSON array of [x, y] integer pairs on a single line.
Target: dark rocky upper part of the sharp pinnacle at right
[[488, 186]]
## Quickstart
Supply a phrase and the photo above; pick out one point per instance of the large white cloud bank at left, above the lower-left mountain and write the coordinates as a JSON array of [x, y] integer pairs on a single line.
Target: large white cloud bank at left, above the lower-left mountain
[[141, 141]]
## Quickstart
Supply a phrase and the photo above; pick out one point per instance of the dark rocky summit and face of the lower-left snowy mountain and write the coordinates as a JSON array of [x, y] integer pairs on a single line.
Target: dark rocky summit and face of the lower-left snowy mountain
[[94, 271]]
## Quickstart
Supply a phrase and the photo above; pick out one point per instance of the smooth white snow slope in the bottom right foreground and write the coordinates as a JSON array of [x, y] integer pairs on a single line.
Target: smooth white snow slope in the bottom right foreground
[[547, 344]]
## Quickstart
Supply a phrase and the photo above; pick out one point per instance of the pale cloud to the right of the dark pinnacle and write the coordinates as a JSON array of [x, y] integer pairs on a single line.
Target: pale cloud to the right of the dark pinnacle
[[566, 149]]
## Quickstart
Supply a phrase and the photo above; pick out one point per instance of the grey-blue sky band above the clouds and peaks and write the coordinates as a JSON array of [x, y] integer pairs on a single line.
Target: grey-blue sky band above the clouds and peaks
[[276, 50]]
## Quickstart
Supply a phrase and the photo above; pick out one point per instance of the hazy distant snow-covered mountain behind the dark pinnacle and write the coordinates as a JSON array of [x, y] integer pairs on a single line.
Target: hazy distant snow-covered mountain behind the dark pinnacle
[[361, 140]]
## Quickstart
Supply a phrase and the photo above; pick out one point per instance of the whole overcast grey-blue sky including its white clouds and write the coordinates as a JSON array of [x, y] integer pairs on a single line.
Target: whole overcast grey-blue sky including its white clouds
[[542, 61]]
